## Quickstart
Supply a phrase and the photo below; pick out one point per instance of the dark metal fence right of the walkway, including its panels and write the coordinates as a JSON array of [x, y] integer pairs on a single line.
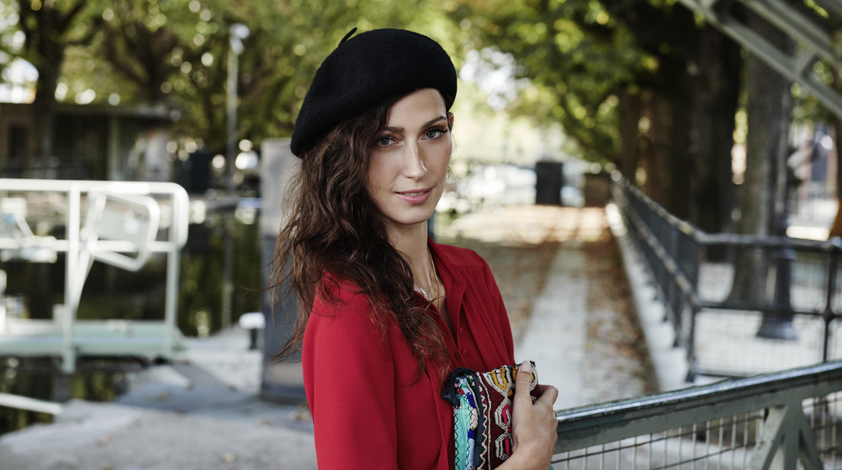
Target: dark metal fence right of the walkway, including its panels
[[739, 304]]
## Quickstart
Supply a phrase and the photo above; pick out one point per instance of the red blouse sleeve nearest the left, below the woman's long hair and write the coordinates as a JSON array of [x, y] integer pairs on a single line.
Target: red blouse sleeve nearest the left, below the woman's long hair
[[350, 383]]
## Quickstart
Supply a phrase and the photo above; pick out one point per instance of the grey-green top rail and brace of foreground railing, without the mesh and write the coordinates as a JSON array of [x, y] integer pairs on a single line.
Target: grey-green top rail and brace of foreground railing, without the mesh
[[775, 395]]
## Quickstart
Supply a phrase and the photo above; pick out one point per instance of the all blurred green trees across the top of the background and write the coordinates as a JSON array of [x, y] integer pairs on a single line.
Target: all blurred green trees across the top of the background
[[645, 86]]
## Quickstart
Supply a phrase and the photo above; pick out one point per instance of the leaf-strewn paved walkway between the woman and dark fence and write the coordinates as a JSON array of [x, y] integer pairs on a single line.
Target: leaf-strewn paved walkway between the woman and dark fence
[[582, 332]]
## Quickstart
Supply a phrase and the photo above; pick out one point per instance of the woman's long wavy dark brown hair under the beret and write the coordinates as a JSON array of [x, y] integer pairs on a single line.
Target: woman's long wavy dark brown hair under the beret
[[335, 234]]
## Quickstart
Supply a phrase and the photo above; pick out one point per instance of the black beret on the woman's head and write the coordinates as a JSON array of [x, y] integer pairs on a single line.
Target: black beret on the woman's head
[[365, 70]]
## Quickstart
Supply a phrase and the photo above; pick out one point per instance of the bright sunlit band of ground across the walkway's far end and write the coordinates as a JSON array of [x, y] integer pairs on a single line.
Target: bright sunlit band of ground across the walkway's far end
[[531, 225]]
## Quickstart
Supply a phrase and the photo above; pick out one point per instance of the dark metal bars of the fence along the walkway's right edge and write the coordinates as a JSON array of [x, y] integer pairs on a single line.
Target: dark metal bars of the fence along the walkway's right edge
[[673, 249]]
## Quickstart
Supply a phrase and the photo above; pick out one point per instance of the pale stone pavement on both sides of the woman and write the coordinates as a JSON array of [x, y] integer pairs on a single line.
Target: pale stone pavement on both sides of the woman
[[561, 276]]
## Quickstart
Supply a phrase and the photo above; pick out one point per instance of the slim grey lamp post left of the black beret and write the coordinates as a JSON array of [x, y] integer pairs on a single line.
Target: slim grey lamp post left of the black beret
[[238, 33]]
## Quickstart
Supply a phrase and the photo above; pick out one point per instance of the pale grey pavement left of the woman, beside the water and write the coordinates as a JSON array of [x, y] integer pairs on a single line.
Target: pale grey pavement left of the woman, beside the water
[[202, 414]]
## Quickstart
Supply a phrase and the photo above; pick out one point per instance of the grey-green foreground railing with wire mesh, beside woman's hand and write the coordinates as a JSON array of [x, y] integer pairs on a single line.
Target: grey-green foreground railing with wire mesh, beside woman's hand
[[780, 419]]
